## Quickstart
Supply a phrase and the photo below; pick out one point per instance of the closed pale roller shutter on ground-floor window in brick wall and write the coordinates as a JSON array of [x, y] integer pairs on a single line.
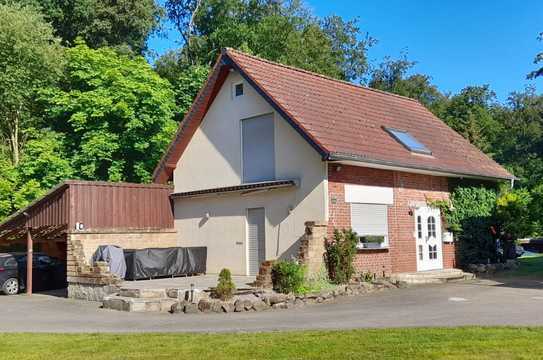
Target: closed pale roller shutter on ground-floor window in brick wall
[[369, 219]]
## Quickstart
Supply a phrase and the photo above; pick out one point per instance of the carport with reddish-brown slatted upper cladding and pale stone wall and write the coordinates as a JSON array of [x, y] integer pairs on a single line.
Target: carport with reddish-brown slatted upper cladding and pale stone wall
[[82, 215]]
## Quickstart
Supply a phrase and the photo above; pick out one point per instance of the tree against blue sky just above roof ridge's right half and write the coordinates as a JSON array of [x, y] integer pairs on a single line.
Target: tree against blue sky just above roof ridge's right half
[[391, 76]]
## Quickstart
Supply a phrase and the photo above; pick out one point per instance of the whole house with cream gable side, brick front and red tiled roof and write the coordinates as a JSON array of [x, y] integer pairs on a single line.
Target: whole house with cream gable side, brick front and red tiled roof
[[267, 147]]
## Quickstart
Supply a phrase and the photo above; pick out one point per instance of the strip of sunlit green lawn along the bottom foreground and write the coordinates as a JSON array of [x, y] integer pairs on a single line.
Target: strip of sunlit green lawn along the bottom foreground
[[415, 343]]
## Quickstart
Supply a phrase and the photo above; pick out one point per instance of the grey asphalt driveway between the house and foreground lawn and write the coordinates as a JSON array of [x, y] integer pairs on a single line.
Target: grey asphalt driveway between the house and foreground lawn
[[469, 303]]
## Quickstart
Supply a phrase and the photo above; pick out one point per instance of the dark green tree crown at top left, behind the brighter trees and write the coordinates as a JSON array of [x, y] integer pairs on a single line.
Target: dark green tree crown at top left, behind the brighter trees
[[114, 23]]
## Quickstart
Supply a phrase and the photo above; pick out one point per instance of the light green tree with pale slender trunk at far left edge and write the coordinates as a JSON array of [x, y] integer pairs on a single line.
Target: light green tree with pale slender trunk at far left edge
[[30, 57]]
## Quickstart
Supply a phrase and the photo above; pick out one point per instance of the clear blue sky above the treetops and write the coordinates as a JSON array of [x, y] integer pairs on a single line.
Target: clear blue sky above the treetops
[[456, 42]]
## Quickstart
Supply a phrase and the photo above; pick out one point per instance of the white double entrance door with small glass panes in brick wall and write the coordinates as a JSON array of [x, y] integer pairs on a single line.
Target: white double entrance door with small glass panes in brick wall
[[428, 236]]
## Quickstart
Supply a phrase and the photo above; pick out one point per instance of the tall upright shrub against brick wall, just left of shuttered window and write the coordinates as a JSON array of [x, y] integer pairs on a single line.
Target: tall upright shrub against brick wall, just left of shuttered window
[[340, 255]]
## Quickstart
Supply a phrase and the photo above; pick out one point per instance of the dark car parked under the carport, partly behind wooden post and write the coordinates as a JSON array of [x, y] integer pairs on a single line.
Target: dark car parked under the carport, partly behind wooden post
[[48, 273]]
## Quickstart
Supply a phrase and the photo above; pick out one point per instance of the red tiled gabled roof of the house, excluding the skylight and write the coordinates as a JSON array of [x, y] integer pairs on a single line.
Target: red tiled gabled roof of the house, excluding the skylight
[[342, 121]]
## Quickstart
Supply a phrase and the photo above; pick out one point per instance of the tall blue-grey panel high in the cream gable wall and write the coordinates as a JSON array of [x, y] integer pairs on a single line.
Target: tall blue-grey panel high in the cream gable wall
[[258, 149]]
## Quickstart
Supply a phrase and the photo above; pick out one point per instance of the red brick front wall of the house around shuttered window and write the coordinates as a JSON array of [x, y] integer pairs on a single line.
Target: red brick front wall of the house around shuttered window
[[409, 190]]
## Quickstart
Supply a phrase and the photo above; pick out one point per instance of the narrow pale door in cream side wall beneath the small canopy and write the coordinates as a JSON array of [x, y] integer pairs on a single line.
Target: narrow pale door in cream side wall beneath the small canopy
[[256, 240]]
